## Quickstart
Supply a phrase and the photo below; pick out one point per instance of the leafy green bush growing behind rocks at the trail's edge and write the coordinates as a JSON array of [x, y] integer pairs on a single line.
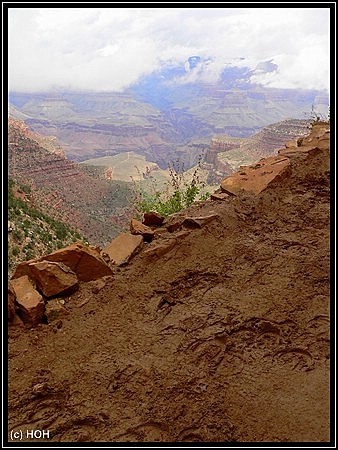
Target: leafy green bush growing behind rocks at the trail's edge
[[177, 193]]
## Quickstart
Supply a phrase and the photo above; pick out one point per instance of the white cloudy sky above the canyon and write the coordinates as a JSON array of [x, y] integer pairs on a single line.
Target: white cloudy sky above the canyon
[[110, 48]]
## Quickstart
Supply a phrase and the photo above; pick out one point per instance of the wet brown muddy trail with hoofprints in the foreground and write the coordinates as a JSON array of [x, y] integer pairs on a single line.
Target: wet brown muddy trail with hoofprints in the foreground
[[222, 338]]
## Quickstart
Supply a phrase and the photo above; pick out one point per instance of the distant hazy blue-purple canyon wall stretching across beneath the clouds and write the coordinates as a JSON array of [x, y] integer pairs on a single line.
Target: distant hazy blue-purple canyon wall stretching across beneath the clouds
[[156, 117]]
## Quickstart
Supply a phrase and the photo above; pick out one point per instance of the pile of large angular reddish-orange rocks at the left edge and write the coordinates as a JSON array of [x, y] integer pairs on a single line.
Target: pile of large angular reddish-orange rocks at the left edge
[[58, 274]]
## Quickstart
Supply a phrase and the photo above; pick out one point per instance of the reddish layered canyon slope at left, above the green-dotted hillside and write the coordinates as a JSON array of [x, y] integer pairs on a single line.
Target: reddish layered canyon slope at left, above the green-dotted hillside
[[63, 188]]
